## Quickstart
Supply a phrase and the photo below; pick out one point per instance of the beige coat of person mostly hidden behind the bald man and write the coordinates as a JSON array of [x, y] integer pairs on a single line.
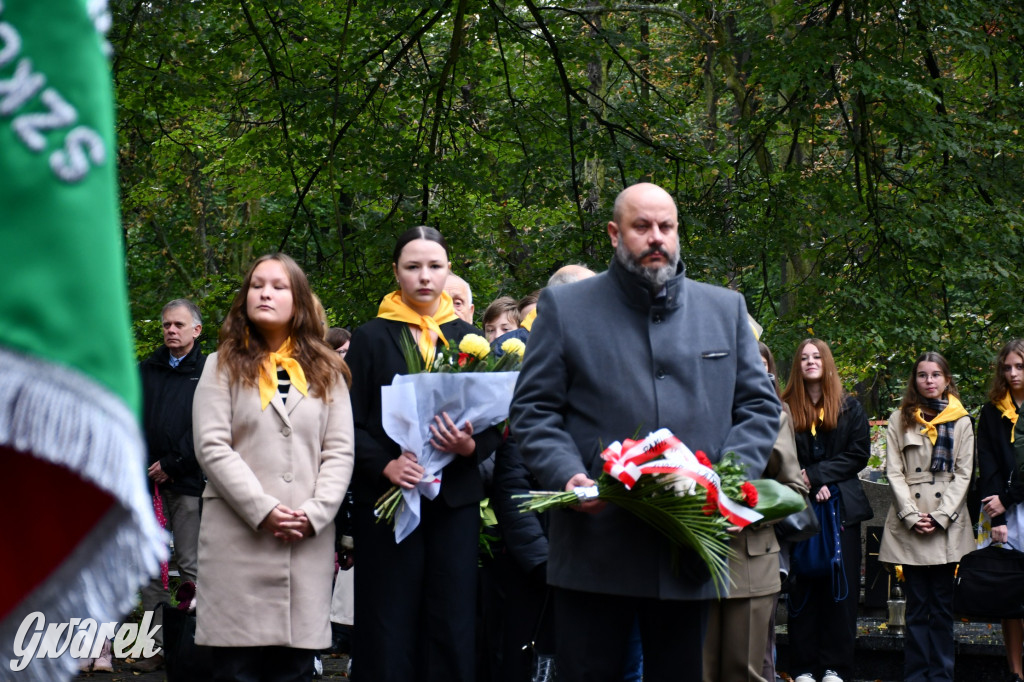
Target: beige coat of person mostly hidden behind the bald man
[[754, 570]]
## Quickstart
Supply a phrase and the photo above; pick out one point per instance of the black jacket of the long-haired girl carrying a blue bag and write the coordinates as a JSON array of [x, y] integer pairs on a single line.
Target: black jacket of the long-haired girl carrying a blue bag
[[847, 449]]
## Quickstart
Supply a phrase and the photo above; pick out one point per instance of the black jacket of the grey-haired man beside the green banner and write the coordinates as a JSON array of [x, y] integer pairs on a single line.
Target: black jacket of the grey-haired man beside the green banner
[[167, 397]]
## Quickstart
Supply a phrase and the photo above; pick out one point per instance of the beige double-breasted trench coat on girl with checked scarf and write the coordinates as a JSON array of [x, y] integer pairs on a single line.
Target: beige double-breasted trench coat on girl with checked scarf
[[917, 491]]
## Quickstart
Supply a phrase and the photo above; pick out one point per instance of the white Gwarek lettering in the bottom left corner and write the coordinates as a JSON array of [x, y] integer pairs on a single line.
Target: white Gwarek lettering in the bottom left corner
[[81, 640]]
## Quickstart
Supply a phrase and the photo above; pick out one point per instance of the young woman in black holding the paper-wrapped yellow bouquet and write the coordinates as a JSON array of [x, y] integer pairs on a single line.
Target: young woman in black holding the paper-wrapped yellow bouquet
[[415, 601]]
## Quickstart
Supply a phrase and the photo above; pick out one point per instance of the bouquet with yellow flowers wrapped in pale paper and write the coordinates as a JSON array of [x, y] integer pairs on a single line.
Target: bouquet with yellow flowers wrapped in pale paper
[[470, 386]]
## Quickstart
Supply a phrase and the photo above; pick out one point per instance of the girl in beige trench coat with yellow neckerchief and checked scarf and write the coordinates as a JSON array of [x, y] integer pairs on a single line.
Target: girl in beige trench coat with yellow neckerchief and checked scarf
[[929, 460]]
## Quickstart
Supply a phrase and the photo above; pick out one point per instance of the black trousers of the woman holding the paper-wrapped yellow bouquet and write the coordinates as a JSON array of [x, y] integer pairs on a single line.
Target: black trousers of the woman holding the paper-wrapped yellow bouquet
[[416, 601]]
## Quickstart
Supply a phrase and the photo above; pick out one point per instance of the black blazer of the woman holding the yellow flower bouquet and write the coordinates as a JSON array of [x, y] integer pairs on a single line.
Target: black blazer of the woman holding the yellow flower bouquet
[[374, 358]]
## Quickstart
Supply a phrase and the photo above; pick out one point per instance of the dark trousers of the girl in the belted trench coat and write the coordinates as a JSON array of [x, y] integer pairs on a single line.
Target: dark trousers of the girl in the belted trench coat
[[930, 653]]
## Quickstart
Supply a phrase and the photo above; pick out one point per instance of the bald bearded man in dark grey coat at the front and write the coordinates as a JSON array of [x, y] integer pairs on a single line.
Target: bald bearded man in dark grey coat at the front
[[636, 349]]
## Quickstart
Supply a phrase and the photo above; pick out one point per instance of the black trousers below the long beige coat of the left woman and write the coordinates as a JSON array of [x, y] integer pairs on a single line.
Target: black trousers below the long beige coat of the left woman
[[262, 664]]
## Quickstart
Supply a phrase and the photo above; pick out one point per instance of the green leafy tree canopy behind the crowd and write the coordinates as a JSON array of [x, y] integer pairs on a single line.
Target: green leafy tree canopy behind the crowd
[[854, 167]]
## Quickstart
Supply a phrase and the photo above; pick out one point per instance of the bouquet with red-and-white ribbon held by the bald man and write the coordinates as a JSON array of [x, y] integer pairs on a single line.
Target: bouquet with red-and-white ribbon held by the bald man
[[681, 494]]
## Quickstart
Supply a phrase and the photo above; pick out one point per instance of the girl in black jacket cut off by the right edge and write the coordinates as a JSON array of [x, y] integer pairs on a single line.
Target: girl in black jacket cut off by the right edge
[[1001, 490]]
